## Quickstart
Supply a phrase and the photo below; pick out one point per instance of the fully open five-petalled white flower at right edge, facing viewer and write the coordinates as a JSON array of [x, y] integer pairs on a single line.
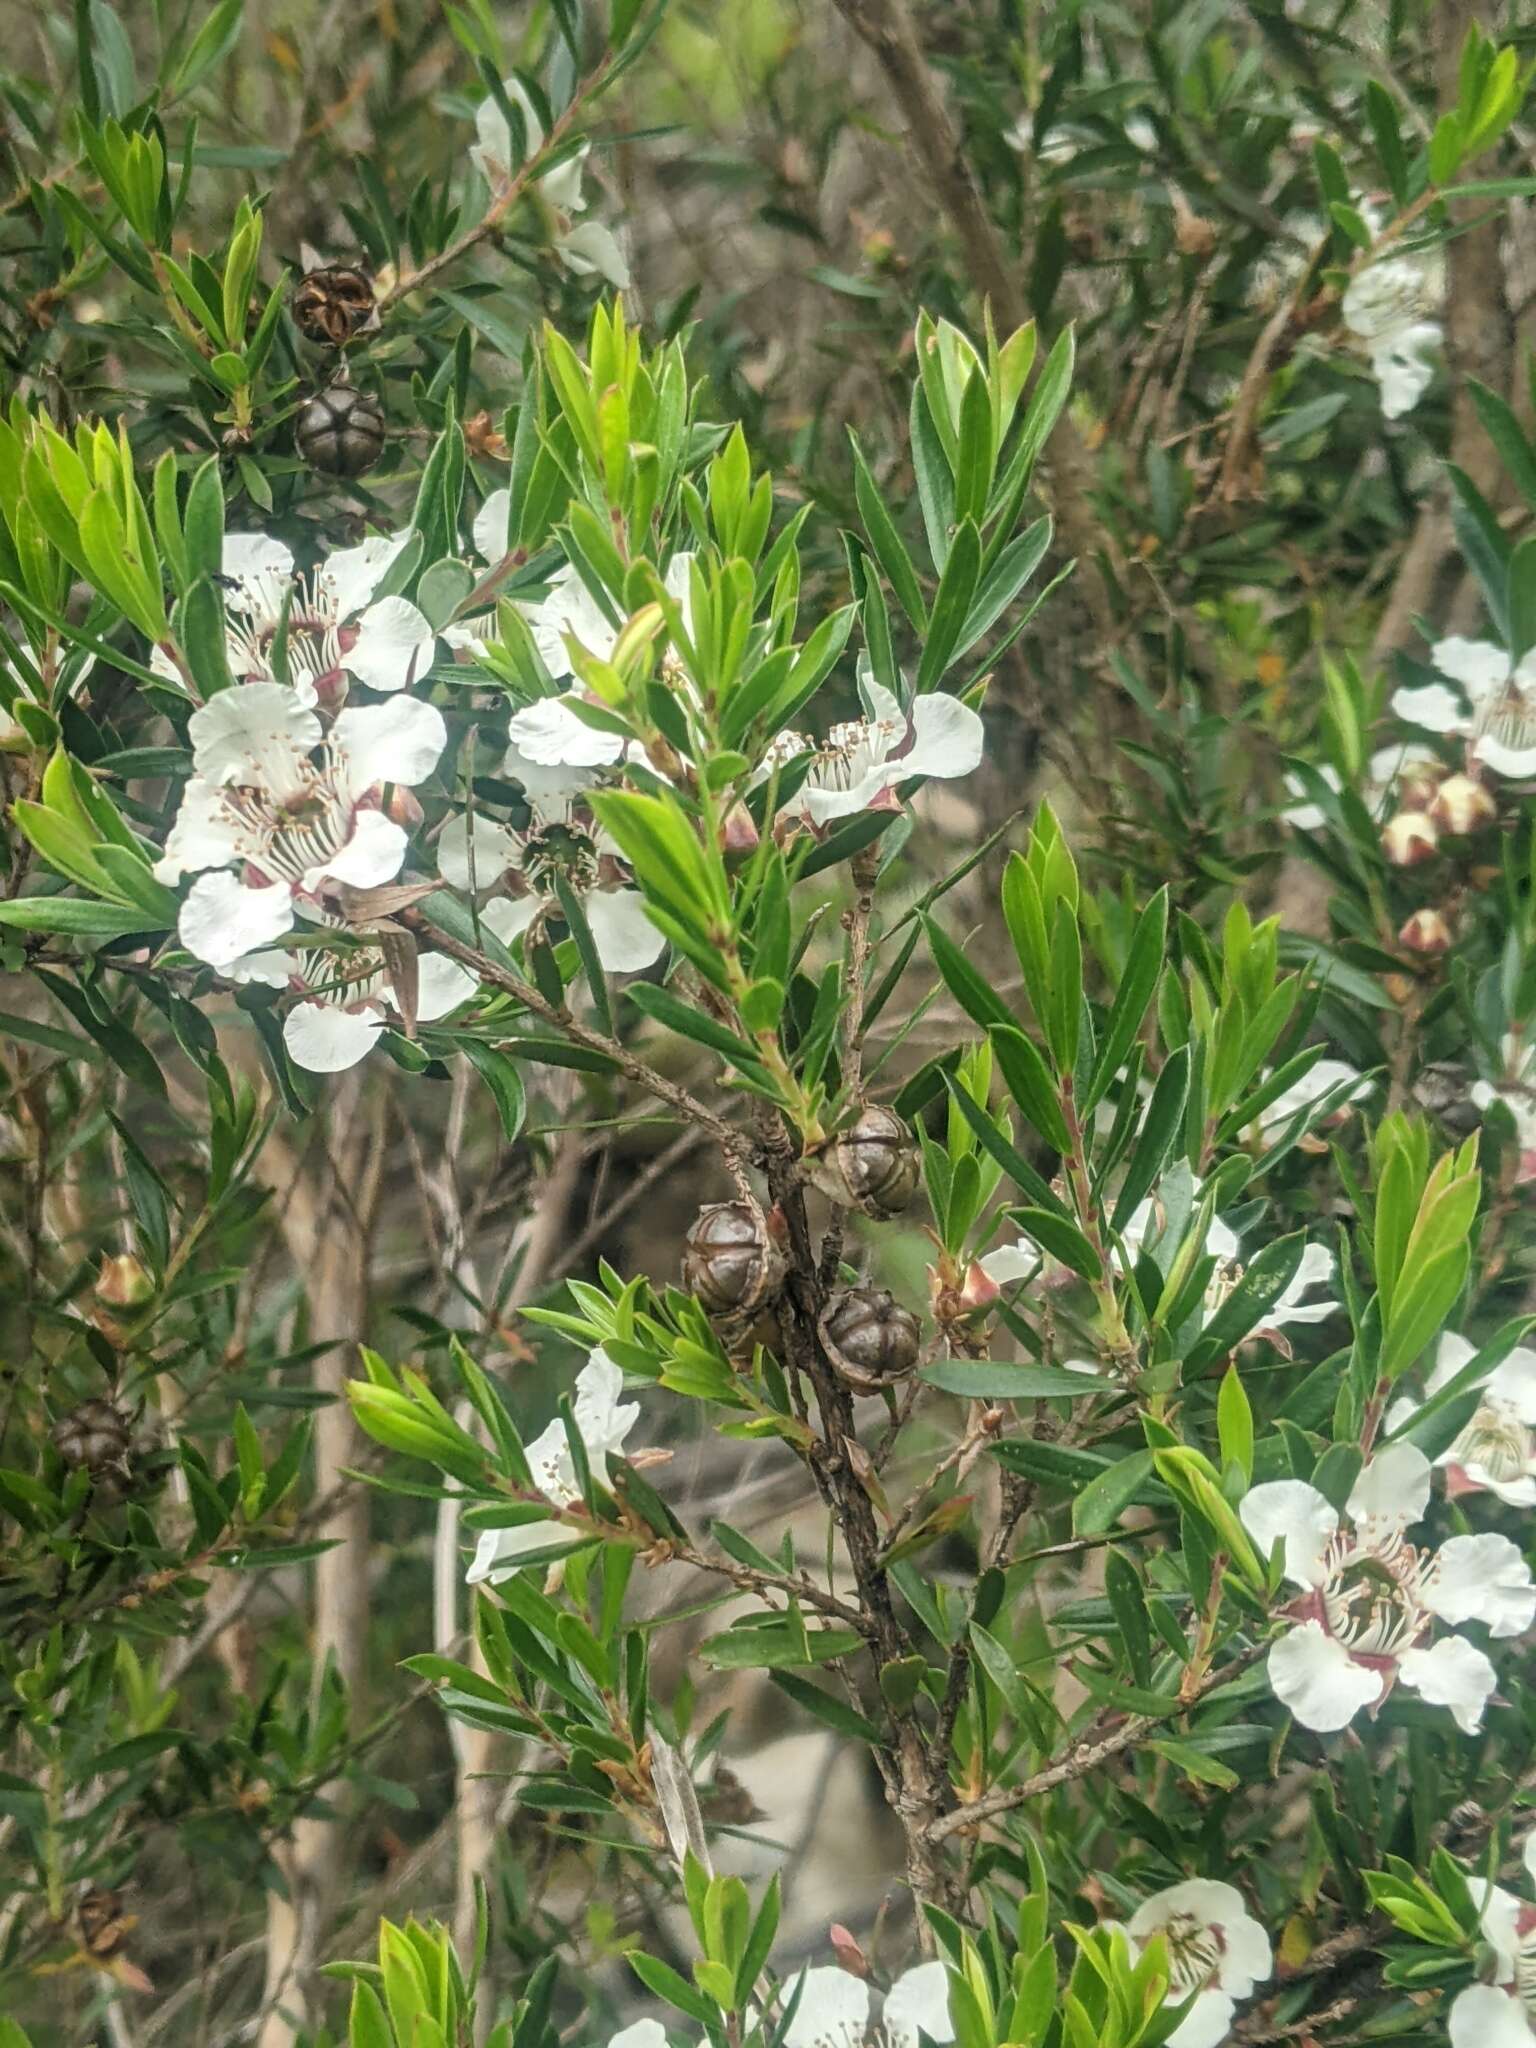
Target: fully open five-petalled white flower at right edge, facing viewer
[[1371, 1601]]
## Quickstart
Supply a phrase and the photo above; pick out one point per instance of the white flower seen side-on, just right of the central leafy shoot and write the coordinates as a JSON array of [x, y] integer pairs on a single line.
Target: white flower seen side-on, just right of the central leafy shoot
[[865, 761]]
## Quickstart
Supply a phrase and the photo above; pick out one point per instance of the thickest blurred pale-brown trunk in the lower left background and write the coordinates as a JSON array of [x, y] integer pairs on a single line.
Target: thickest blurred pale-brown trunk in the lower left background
[[327, 1205]]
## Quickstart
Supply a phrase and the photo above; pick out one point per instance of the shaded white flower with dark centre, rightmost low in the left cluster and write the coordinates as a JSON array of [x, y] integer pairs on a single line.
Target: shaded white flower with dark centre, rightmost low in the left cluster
[[558, 843]]
